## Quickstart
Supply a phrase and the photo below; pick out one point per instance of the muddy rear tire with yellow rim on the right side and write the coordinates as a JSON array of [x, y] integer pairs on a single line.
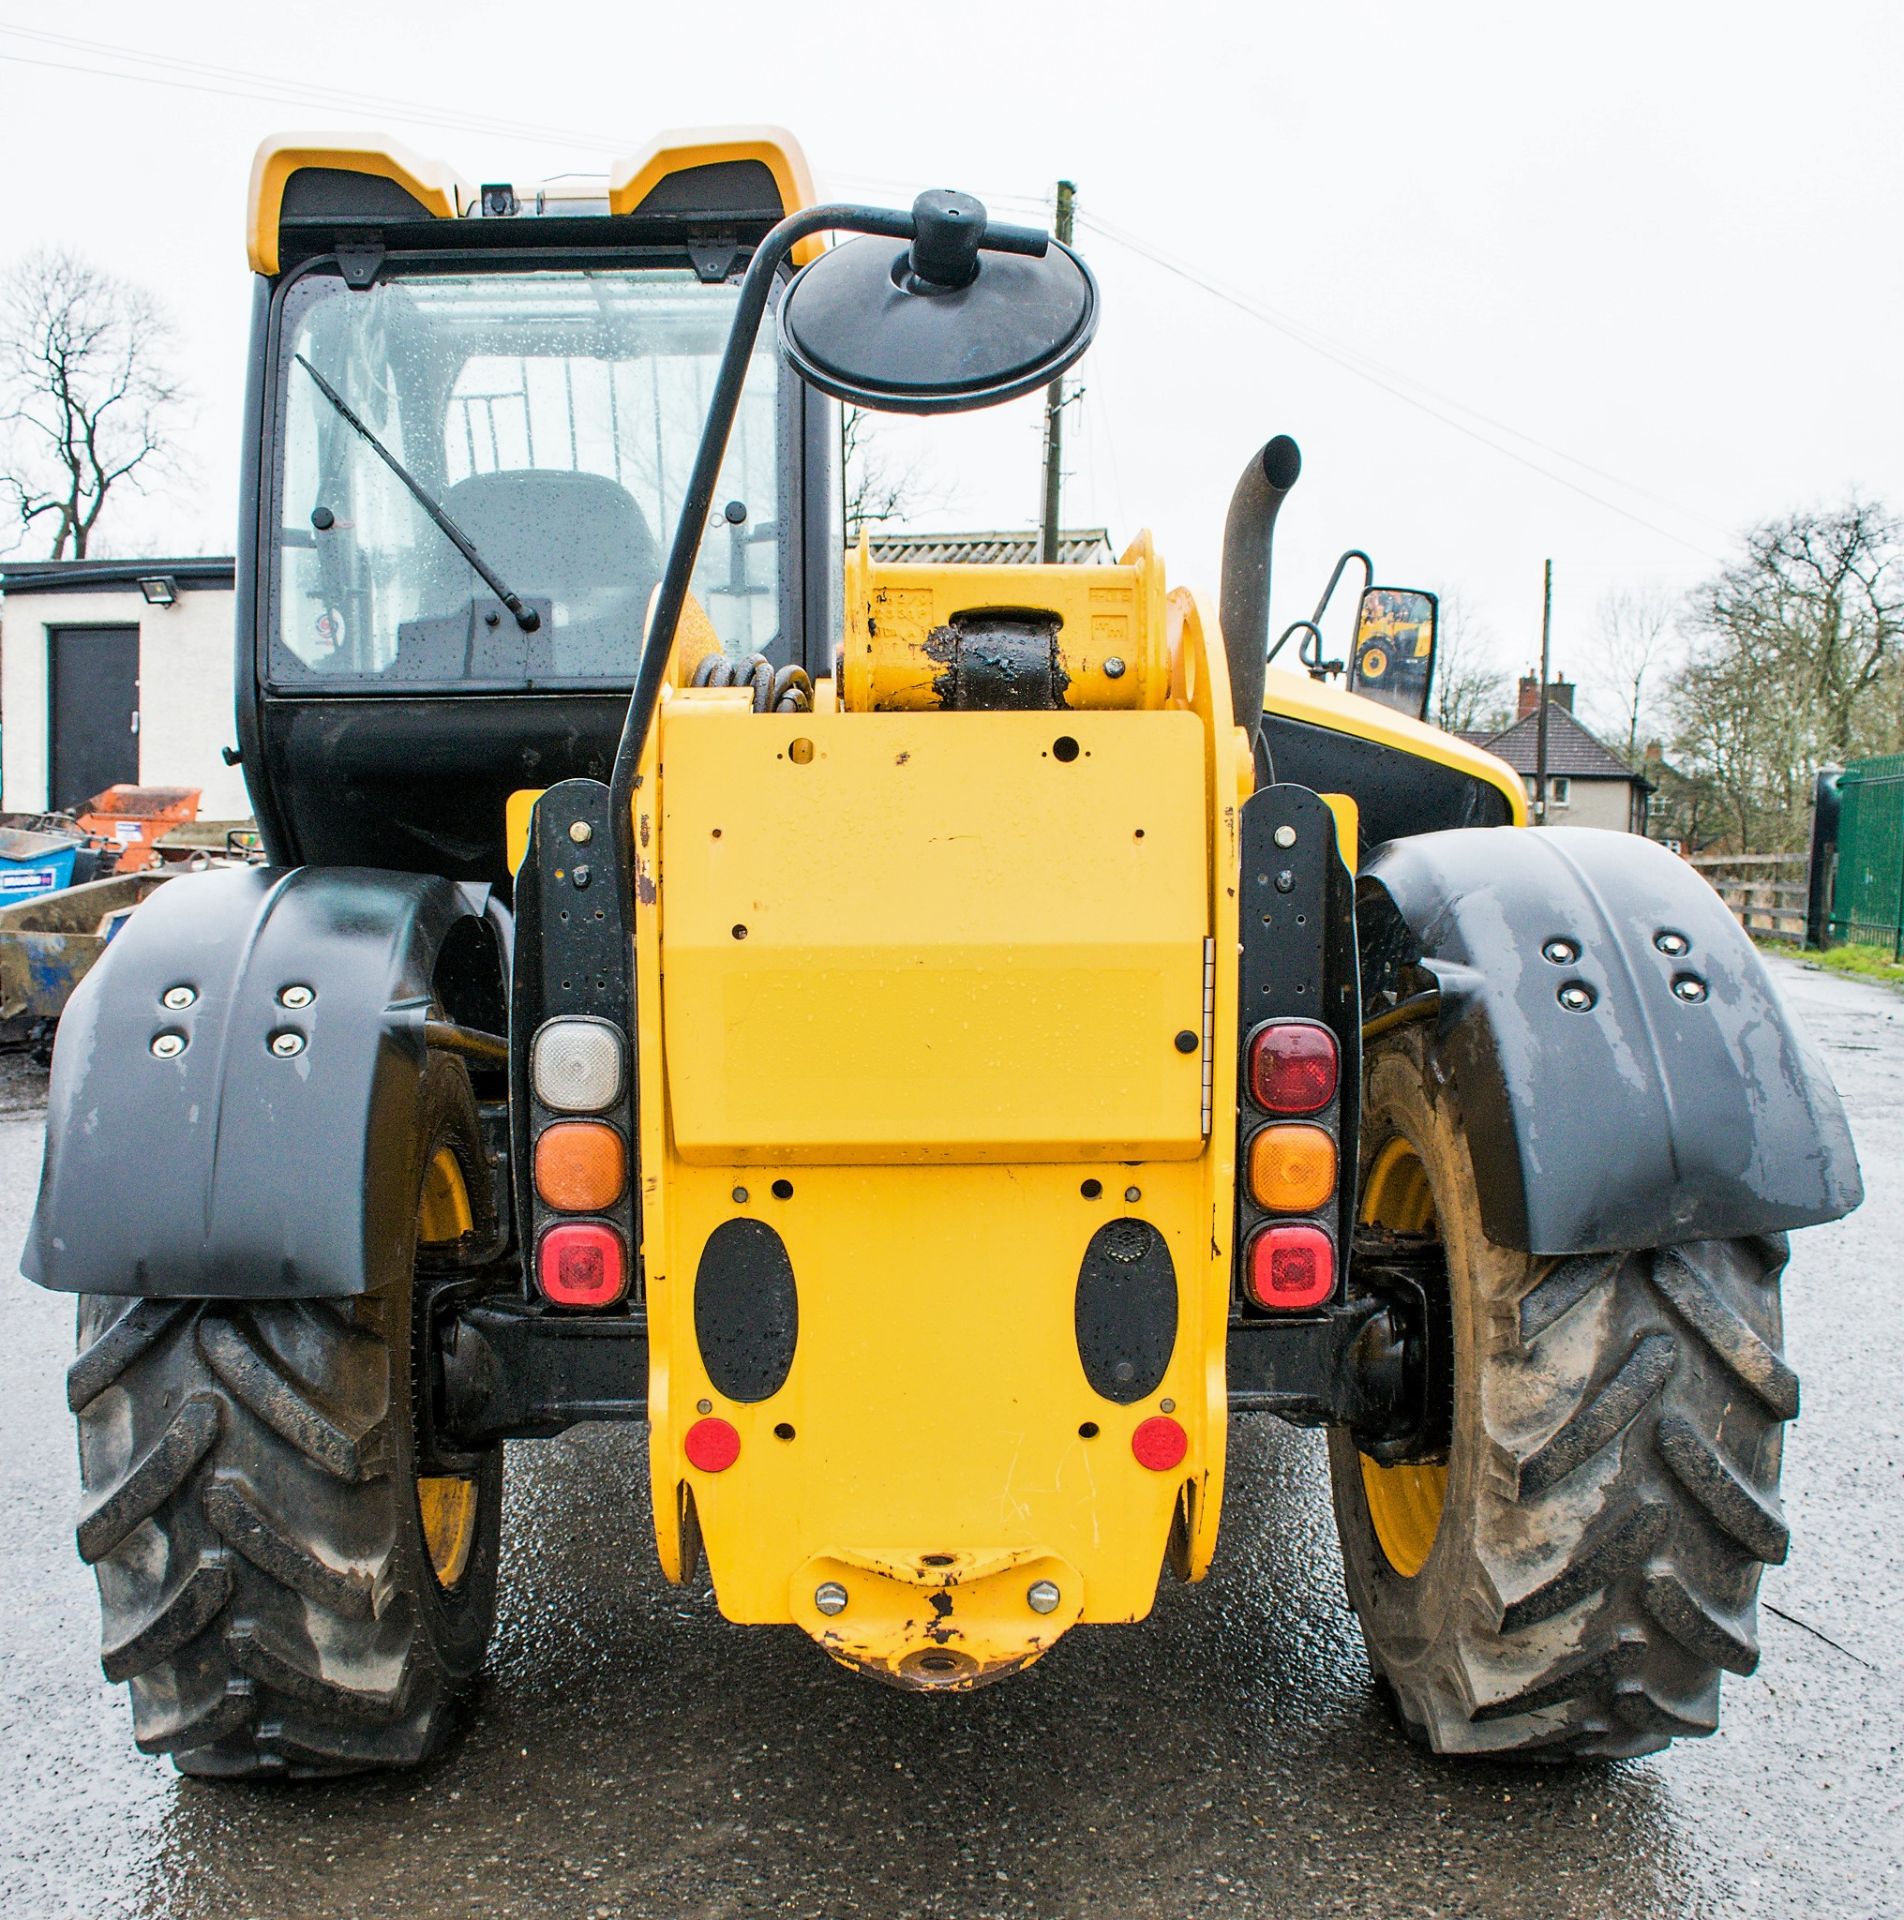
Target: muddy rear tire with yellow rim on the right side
[[1611, 1491]]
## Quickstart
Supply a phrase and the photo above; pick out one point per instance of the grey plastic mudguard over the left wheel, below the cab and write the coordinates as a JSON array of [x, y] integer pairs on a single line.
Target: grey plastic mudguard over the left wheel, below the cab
[[231, 1170]]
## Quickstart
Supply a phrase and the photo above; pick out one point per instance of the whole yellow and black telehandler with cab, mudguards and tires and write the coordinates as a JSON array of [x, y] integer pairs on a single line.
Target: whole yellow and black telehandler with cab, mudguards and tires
[[932, 1042]]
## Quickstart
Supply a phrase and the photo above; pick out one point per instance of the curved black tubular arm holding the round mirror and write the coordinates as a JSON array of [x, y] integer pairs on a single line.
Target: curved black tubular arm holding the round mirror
[[726, 402]]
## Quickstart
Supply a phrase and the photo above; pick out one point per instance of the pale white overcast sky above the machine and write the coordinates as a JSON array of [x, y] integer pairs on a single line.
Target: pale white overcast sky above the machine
[[1604, 283]]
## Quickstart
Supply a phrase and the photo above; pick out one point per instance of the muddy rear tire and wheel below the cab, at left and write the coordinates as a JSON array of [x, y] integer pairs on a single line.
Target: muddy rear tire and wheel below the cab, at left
[[252, 1510]]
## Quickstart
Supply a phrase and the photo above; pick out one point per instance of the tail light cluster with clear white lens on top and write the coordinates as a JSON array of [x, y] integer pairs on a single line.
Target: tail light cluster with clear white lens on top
[[579, 1074]]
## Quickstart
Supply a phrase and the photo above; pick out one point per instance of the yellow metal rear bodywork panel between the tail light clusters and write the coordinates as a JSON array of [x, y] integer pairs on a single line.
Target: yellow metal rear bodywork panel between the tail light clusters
[[913, 994]]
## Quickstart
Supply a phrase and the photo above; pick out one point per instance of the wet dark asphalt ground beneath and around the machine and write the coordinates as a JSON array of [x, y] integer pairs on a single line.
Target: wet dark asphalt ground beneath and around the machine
[[632, 1754]]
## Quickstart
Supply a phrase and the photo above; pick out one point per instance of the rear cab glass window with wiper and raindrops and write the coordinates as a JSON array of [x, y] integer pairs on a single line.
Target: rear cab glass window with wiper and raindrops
[[554, 420]]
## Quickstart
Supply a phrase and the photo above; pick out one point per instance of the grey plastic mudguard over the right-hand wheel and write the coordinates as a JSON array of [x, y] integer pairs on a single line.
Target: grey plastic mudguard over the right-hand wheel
[[1650, 1118]]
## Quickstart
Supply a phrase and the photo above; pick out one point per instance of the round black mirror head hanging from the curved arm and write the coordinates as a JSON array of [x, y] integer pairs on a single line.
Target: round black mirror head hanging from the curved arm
[[943, 325]]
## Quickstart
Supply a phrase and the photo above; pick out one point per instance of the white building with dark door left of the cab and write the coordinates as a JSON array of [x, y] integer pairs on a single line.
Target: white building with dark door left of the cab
[[118, 671]]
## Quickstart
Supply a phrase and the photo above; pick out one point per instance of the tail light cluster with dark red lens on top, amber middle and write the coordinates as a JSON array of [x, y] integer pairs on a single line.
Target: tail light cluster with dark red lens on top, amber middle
[[1291, 1166]]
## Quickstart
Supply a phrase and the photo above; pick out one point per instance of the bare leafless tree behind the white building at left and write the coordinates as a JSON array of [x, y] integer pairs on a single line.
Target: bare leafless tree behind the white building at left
[[87, 398]]
